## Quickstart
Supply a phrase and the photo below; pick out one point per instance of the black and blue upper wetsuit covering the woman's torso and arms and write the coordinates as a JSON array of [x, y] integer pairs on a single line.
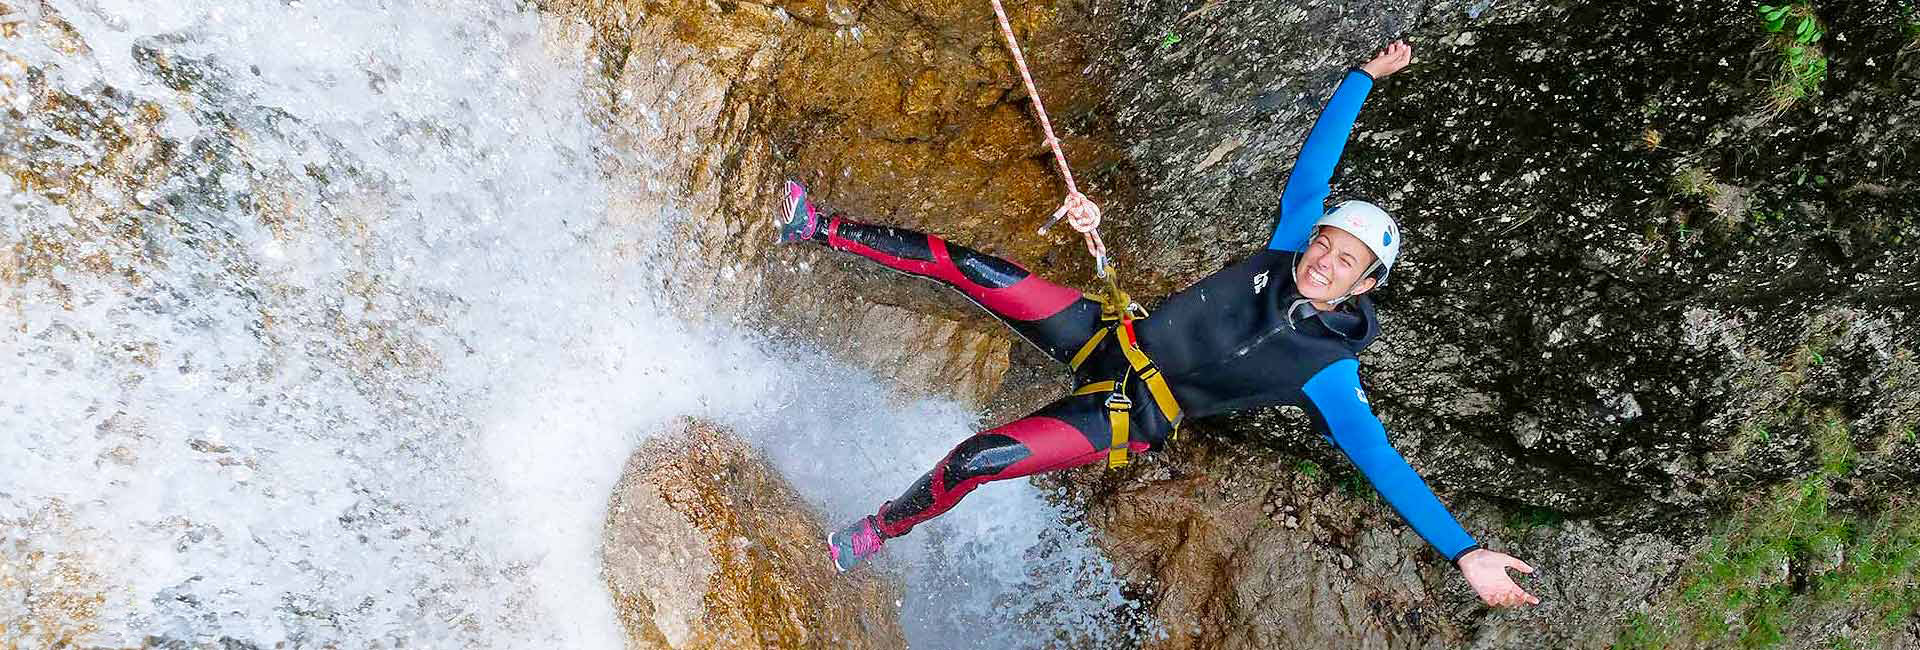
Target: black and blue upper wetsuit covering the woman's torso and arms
[[1228, 342]]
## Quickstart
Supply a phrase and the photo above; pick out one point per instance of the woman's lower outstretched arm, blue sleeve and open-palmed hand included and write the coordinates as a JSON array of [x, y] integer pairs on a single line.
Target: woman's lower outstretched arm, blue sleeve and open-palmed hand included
[[1339, 404]]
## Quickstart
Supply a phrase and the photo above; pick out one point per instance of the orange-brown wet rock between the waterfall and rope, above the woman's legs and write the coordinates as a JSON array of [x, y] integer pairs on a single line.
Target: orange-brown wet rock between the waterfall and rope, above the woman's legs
[[892, 112]]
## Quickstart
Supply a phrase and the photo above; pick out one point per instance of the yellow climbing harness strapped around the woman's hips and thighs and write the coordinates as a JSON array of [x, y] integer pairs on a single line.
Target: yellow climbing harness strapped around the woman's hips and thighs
[[1122, 312]]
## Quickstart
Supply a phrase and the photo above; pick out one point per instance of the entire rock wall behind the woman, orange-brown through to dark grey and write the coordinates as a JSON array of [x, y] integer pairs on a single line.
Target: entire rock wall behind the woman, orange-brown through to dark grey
[[1635, 292]]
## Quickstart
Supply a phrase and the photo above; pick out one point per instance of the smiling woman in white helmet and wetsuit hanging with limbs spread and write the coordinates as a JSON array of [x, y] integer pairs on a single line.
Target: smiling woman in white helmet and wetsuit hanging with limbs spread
[[1278, 329]]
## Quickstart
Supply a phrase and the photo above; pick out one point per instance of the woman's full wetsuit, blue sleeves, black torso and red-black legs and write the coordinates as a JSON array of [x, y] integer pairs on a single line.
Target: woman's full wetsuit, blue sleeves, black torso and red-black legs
[[1236, 340]]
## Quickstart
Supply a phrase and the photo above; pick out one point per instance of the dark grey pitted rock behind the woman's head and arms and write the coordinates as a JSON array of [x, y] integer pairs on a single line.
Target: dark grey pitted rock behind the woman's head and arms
[[1558, 283]]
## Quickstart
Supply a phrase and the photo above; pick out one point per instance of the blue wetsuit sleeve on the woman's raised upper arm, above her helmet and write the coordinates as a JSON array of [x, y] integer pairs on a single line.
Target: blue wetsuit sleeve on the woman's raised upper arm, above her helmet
[[1307, 189]]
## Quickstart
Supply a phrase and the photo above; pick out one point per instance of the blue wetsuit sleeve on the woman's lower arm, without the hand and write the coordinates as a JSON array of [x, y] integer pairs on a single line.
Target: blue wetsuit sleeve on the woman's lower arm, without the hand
[[1339, 402]]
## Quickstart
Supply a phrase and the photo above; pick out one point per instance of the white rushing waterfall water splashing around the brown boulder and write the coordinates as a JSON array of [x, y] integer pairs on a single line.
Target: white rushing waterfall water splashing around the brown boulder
[[356, 363]]
